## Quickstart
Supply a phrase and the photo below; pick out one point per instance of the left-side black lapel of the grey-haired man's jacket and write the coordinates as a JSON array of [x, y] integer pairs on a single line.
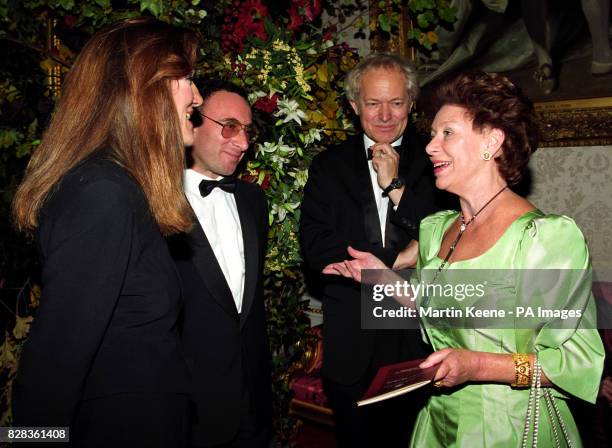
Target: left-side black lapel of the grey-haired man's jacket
[[371, 222]]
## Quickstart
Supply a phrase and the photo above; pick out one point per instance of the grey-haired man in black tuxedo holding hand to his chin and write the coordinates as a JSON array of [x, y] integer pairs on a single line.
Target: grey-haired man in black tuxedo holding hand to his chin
[[373, 205]]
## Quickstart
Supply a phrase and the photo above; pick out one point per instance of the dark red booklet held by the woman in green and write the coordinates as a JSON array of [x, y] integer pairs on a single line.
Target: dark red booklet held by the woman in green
[[398, 379]]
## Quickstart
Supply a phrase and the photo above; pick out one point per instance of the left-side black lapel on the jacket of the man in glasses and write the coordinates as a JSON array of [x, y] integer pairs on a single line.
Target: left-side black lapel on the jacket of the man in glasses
[[208, 267]]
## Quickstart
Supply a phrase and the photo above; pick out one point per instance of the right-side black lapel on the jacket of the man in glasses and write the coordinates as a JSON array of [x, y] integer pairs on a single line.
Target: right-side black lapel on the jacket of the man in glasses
[[251, 249]]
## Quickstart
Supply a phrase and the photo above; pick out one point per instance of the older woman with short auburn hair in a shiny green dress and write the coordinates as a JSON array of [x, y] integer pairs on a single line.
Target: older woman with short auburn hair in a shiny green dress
[[481, 140]]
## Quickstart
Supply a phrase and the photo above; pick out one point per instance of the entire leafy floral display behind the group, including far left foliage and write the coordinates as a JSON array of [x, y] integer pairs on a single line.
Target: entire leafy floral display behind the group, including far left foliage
[[293, 69]]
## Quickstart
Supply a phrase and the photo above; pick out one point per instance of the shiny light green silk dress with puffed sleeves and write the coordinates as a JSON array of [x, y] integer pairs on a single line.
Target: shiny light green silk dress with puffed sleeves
[[493, 415]]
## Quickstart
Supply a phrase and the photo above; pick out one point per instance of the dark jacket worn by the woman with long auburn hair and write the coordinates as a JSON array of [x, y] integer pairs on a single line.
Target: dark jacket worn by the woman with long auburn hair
[[107, 321]]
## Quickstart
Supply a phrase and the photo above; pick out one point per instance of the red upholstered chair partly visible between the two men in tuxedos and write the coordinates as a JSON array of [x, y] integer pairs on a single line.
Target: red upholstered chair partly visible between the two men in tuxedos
[[309, 400]]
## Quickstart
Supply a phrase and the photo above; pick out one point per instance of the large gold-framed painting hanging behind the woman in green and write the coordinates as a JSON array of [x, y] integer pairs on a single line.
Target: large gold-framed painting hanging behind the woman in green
[[560, 56]]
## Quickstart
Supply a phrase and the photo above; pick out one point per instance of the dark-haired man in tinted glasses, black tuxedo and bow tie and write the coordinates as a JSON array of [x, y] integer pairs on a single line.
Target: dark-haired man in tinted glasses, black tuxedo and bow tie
[[220, 263]]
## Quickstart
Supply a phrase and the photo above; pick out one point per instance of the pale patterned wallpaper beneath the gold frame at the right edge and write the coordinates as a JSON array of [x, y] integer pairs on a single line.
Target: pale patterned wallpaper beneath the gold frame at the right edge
[[577, 181]]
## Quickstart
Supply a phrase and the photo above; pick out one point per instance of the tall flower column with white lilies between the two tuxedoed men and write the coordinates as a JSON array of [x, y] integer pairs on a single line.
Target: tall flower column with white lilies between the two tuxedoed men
[[294, 80]]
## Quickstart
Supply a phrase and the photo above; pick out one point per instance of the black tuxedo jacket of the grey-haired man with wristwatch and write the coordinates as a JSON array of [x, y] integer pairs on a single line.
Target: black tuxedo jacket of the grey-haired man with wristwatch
[[339, 210]]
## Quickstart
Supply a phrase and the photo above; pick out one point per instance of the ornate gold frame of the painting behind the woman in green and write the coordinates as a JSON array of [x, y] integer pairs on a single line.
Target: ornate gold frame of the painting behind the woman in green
[[577, 122]]
